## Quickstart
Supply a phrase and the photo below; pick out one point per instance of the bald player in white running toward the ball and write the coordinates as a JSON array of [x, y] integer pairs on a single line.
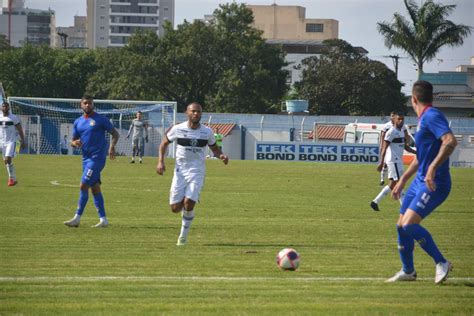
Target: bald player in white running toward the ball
[[191, 138]]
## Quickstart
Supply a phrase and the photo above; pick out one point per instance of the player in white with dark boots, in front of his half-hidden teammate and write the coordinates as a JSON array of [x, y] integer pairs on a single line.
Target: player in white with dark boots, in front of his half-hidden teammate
[[395, 142]]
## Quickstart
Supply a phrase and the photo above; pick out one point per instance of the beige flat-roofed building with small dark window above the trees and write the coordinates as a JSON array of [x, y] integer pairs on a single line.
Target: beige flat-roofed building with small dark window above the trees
[[290, 23]]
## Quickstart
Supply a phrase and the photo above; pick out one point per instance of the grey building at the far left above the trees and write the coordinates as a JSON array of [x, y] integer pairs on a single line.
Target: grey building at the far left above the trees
[[25, 25]]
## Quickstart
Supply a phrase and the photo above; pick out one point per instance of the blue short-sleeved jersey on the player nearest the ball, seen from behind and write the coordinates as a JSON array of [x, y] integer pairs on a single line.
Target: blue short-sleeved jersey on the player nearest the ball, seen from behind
[[431, 126]]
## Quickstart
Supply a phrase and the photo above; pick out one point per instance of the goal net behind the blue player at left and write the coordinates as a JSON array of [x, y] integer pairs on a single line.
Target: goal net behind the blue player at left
[[48, 121]]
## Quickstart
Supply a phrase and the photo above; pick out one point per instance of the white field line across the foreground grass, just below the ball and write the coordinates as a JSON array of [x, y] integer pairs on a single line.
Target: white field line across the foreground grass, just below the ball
[[207, 278]]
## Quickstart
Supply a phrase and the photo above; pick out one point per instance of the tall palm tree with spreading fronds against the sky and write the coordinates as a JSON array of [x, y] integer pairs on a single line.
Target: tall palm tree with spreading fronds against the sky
[[426, 33]]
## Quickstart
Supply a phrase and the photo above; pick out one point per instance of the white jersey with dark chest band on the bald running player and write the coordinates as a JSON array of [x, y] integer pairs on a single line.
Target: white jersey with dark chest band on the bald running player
[[191, 145]]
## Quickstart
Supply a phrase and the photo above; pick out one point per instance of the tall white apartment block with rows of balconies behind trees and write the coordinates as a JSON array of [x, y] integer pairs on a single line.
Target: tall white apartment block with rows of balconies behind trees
[[110, 23]]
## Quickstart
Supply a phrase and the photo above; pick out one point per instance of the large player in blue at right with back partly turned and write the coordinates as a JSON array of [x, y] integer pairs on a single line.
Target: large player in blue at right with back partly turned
[[434, 142]]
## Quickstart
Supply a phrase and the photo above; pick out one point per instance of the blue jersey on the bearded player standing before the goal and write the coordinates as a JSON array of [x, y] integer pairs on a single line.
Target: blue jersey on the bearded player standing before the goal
[[91, 131]]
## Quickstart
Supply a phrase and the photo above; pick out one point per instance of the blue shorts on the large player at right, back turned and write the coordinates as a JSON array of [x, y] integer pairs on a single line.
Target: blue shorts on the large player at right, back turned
[[422, 200]]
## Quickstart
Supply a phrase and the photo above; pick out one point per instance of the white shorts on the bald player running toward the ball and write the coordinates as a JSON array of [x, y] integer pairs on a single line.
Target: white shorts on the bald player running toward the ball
[[185, 184]]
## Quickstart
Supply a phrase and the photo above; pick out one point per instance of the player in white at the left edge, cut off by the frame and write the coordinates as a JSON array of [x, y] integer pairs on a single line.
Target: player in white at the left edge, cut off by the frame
[[10, 127]]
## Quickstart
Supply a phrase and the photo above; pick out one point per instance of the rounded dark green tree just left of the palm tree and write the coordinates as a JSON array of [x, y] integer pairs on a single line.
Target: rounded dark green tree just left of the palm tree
[[342, 81]]
